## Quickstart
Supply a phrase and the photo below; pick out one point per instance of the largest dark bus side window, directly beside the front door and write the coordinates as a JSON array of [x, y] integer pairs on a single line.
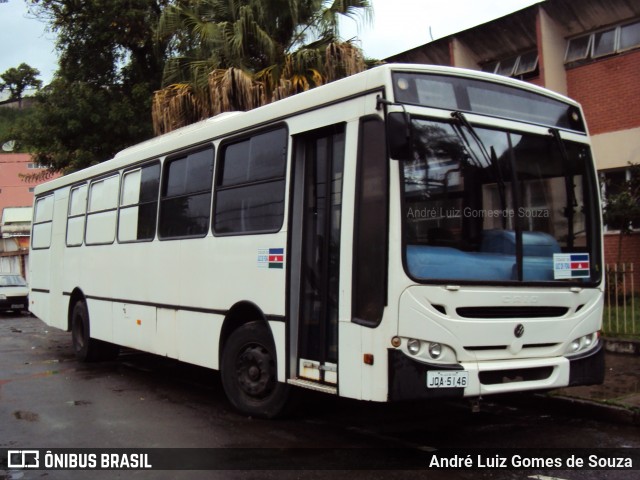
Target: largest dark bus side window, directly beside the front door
[[250, 184]]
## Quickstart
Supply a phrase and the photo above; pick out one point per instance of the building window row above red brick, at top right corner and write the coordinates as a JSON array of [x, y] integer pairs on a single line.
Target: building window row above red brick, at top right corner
[[603, 43]]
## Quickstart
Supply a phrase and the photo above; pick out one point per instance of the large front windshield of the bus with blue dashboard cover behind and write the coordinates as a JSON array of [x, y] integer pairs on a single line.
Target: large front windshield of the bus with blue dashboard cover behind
[[489, 205]]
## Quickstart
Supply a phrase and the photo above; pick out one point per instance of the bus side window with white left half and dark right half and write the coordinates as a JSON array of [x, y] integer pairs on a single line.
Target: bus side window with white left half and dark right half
[[139, 204]]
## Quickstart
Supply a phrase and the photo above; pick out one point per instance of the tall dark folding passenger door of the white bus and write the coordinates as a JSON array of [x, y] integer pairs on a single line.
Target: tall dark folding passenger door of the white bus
[[315, 255]]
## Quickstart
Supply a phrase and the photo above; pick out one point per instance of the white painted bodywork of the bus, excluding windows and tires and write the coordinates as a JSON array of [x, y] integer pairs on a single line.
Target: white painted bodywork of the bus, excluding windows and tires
[[170, 297]]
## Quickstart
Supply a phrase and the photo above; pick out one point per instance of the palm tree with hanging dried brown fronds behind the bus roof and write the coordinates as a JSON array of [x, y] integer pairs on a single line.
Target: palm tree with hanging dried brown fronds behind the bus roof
[[240, 54]]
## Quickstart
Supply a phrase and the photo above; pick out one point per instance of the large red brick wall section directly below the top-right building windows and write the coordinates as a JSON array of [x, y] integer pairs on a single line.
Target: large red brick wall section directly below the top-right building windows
[[608, 90]]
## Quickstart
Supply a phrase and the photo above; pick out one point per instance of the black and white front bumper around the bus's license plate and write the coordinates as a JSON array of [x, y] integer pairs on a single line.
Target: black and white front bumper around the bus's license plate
[[407, 377]]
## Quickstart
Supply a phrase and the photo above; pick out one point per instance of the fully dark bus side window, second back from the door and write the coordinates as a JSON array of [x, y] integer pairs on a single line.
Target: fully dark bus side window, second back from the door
[[185, 205]]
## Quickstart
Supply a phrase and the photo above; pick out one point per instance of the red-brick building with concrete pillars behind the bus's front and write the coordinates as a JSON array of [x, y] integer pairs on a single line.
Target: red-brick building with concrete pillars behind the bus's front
[[588, 50]]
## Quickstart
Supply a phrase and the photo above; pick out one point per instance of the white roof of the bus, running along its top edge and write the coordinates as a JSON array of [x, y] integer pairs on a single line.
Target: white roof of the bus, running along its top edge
[[233, 122]]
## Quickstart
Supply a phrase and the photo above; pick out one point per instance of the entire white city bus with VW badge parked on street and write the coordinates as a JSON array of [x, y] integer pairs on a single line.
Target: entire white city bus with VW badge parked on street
[[410, 232]]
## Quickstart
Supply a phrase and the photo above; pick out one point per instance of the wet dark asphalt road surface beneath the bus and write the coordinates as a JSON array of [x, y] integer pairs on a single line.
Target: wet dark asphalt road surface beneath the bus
[[48, 400]]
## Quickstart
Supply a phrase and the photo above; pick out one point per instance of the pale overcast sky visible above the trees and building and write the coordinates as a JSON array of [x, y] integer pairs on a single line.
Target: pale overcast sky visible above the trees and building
[[398, 26]]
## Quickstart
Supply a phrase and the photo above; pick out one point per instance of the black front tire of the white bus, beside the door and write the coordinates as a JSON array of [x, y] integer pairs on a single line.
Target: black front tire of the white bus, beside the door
[[249, 372]]
